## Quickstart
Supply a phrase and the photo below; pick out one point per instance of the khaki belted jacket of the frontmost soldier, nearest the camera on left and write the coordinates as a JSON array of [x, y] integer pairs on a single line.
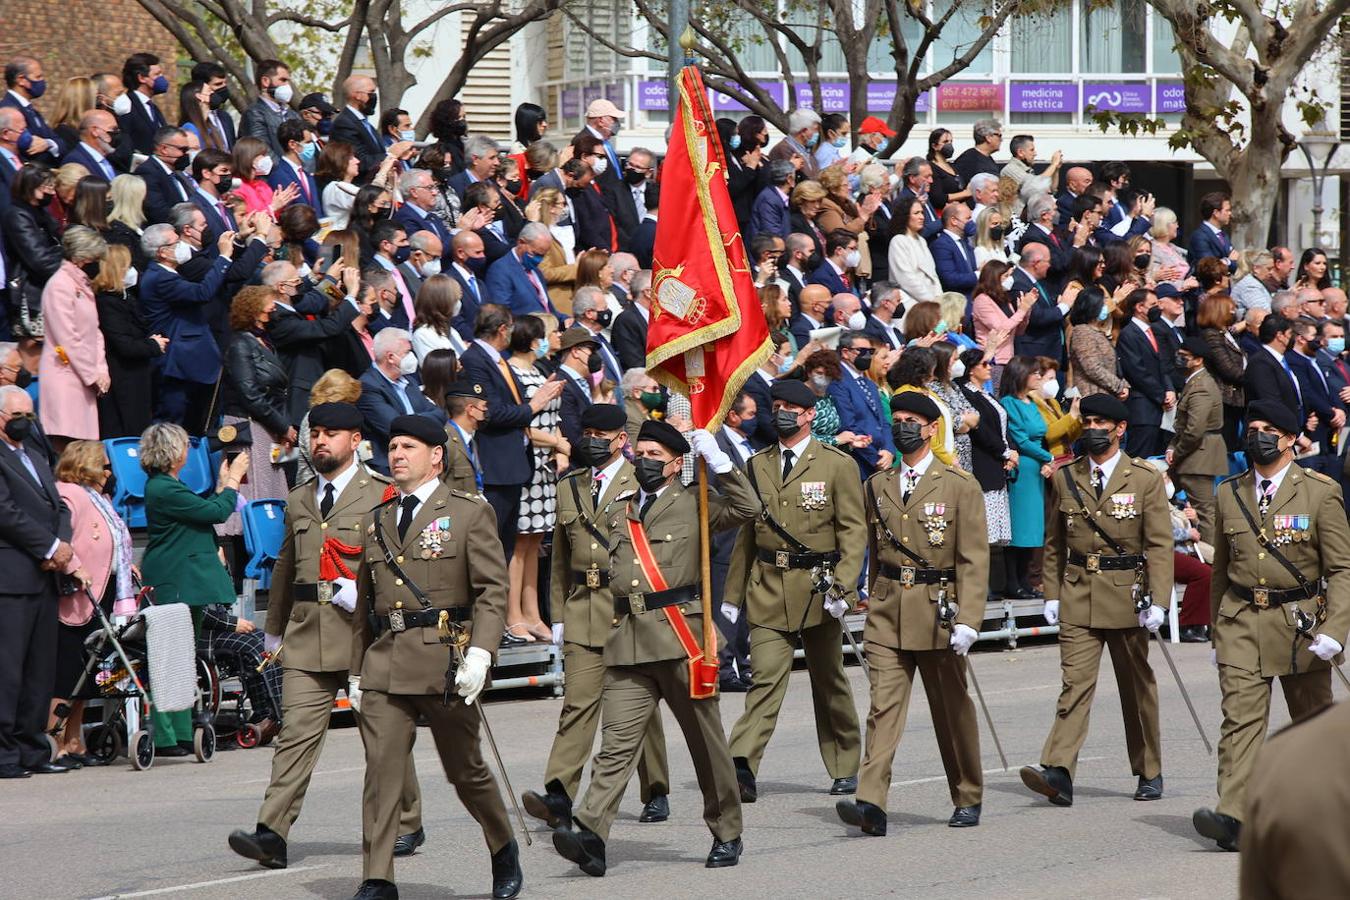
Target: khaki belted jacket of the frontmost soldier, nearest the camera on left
[[468, 571]]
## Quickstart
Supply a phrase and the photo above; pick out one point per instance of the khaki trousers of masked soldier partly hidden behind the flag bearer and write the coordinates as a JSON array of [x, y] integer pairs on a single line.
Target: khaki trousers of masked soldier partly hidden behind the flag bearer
[[577, 724]]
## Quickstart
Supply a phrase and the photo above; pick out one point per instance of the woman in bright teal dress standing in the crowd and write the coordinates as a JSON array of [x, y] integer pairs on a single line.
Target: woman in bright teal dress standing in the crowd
[[1027, 493]]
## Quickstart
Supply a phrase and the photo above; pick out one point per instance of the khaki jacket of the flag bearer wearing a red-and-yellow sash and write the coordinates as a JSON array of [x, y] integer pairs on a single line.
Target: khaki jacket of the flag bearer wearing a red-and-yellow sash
[[672, 528]]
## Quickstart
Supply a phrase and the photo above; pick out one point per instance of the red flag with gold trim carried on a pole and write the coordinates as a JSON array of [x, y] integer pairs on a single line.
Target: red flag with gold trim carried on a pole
[[707, 333]]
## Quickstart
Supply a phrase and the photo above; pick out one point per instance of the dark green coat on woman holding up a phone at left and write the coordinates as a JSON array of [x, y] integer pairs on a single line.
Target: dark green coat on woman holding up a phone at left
[[182, 562]]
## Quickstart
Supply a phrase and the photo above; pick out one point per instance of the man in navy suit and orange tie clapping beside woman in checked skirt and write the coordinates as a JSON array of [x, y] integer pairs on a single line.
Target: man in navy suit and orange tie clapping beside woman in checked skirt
[[503, 446]]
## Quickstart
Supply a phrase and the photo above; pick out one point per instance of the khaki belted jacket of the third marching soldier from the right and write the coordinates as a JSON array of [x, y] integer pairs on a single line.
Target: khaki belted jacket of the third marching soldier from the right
[[944, 524]]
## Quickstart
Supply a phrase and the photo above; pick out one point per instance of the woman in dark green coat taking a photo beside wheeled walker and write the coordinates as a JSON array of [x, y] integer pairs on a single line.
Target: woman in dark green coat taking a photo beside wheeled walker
[[182, 562]]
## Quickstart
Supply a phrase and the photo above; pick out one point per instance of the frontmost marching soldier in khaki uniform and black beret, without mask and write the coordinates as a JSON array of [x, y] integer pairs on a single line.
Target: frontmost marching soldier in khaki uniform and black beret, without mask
[[441, 569]]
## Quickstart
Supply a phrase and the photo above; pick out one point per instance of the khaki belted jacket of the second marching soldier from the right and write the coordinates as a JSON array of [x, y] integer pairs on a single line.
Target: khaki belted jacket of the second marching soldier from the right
[[1135, 512]]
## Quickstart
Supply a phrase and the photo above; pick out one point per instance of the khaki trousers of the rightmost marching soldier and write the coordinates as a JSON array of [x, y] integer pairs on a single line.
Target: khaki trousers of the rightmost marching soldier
[[1247, 717]]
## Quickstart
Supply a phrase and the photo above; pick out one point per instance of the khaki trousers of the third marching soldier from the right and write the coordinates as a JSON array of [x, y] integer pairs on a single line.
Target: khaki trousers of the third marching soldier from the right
[[954, 721]]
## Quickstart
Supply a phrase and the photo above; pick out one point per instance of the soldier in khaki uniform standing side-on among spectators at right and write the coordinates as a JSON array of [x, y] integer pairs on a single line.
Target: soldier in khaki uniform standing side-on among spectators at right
[[1198, 454]]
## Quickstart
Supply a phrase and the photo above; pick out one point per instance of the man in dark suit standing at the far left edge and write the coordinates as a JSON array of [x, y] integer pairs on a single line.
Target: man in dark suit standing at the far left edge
[[34, 546]]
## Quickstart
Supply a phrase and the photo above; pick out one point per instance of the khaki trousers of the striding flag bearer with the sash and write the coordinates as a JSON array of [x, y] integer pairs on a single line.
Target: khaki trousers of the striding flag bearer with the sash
[[628, 700]]
